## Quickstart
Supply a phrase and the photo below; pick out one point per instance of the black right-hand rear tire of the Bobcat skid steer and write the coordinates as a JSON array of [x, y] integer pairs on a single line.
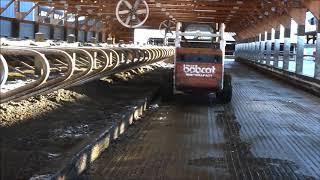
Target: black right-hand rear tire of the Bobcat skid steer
[[225, 96]]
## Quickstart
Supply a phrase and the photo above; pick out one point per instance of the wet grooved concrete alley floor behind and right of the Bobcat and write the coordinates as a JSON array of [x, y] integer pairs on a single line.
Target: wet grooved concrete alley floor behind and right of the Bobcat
[[271, 130]]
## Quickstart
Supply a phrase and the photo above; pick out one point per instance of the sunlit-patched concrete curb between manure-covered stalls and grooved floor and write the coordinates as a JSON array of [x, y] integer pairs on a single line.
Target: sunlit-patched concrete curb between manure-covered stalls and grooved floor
[[89, 153]]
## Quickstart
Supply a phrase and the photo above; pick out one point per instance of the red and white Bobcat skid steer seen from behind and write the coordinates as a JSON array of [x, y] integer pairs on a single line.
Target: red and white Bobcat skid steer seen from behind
[[199, 61]]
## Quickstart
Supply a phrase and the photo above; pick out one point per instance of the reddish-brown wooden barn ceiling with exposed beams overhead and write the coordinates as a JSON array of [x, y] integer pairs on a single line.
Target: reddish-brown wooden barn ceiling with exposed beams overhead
[[236, 14]]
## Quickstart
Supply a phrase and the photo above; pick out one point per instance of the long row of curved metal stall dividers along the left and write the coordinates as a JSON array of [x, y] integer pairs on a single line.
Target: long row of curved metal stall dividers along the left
[[46, 69]]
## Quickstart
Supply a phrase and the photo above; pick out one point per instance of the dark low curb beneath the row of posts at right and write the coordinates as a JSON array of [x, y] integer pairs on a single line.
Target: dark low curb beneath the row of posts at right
[[306, 83]]
